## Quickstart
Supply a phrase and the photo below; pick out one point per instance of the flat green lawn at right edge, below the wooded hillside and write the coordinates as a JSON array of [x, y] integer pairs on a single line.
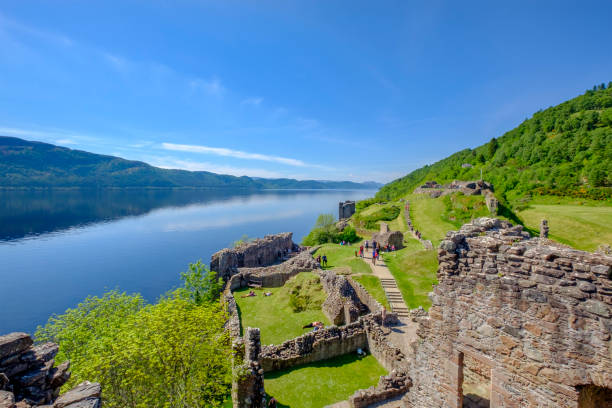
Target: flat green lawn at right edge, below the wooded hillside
[[580, 226]]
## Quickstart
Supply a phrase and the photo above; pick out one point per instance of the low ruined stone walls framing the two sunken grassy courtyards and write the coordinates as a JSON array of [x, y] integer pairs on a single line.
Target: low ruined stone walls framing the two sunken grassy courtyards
[[357, 319]]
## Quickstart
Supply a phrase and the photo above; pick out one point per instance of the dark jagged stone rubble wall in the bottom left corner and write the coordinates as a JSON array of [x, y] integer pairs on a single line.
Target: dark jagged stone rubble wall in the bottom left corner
[[28, 378]]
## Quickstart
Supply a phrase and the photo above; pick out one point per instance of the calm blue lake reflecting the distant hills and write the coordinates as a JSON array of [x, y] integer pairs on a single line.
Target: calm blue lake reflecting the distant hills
[[57, 247]]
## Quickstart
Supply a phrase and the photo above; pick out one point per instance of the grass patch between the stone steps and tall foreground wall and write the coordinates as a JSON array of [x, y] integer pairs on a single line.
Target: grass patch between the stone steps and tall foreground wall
[[414, 270]]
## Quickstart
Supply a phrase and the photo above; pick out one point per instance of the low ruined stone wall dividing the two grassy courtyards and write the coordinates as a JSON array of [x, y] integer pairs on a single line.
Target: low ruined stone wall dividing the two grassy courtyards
[[314, 346]]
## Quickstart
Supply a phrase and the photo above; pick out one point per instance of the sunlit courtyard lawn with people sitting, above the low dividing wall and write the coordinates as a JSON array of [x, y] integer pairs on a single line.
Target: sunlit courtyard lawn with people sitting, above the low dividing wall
[[273, 315]]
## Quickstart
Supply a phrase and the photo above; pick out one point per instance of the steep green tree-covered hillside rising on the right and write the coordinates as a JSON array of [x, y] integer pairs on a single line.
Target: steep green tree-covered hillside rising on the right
[[563, 150]]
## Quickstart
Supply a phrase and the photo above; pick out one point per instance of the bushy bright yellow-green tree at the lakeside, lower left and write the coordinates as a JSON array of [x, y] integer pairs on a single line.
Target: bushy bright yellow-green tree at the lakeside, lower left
[[174, 353]]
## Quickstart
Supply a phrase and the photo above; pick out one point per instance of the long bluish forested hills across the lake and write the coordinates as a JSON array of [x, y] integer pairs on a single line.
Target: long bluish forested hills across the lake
[[27, 164]]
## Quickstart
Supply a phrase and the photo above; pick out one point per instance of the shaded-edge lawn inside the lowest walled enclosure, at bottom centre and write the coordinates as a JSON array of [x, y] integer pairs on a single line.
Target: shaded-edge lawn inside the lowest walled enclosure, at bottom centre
[[322, 383]]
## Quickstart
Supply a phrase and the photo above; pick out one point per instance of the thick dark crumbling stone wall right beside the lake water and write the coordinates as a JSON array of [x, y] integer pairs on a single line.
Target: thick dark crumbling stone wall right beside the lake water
[[261, 252]]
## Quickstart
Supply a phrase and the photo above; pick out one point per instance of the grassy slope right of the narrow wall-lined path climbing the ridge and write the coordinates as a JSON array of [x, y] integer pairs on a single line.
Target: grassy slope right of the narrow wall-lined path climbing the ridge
[[426, 214]]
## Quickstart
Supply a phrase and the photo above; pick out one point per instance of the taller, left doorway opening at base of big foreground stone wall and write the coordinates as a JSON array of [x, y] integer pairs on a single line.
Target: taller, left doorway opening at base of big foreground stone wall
[[476, 383]]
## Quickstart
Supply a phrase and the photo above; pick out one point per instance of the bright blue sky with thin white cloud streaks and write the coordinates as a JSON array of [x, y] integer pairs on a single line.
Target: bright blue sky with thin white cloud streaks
[[339, 90]]
